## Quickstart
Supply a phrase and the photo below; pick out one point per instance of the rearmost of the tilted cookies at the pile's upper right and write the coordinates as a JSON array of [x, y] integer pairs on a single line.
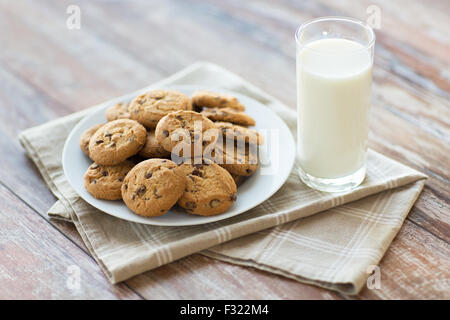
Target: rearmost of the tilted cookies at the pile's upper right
[[208, 99]]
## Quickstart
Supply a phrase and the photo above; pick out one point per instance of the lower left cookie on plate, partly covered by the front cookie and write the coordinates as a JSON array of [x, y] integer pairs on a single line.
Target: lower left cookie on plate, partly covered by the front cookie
[[104, 182]]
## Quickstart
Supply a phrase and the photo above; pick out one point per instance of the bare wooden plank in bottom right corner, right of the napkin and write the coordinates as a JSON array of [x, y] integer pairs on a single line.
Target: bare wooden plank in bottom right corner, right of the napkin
[[416, 266]]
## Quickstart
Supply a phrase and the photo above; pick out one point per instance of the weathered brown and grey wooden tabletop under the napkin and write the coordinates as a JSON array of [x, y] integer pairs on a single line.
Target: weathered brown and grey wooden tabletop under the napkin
[[48, 71]]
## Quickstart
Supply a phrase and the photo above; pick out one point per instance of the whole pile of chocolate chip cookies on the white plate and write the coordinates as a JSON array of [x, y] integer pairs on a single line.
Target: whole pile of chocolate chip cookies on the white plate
[[164, 148]]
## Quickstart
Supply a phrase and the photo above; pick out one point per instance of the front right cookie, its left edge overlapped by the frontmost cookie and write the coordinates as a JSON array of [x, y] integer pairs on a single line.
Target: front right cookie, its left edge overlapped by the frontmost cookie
[[210, 189]]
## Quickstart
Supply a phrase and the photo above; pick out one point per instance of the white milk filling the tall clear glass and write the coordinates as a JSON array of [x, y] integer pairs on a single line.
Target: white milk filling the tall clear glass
[[334, 80]]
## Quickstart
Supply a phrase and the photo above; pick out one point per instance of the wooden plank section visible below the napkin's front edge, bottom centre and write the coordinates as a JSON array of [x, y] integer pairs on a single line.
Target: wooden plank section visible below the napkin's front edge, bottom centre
[[199, 277]]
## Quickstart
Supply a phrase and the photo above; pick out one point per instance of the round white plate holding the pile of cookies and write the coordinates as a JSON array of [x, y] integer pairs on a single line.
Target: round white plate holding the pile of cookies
[[256, 189]]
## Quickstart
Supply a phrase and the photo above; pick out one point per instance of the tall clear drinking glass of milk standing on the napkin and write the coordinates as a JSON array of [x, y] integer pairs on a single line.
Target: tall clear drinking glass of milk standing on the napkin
[[334, 76]]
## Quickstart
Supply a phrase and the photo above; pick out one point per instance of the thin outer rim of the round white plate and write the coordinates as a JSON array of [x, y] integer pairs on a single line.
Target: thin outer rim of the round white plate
[[217, 218]]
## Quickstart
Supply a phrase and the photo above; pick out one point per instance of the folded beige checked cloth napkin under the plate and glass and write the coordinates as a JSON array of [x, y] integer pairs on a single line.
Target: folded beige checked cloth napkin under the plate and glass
[[332, 240]]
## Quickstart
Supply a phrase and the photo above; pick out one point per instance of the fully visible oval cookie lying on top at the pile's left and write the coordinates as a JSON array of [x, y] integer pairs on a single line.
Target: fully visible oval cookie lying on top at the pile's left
[[116, 141]]
